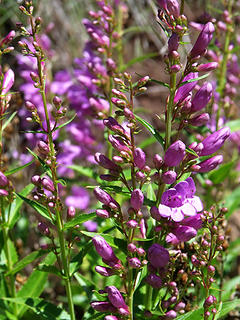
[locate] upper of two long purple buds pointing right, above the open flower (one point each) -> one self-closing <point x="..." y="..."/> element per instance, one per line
<point x="215" y="141"/>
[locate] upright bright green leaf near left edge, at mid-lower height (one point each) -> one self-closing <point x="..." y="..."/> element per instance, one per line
<point x="14" y="207"/>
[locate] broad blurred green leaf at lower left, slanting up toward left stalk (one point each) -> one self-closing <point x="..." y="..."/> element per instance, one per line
<point x="35" y="284"/>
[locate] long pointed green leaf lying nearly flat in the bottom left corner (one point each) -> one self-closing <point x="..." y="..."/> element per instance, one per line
<point x="44" y="309"/>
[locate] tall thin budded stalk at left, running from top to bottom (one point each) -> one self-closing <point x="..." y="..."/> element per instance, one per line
<point x="50" y="184"/>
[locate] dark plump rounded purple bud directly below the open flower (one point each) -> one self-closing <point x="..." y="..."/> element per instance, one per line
<point x="158" y="256"/>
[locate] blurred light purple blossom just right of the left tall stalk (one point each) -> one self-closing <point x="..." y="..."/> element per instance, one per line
<point x="79" y="198"/>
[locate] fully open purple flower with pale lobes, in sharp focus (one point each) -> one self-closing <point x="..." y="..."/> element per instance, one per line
<point x="179" y="201"/>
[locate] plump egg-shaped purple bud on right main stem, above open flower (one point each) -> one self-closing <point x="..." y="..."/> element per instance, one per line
<point x="175" y="154"/>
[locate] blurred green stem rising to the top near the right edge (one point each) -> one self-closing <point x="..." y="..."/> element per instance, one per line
<point x="223" y="66"/>
